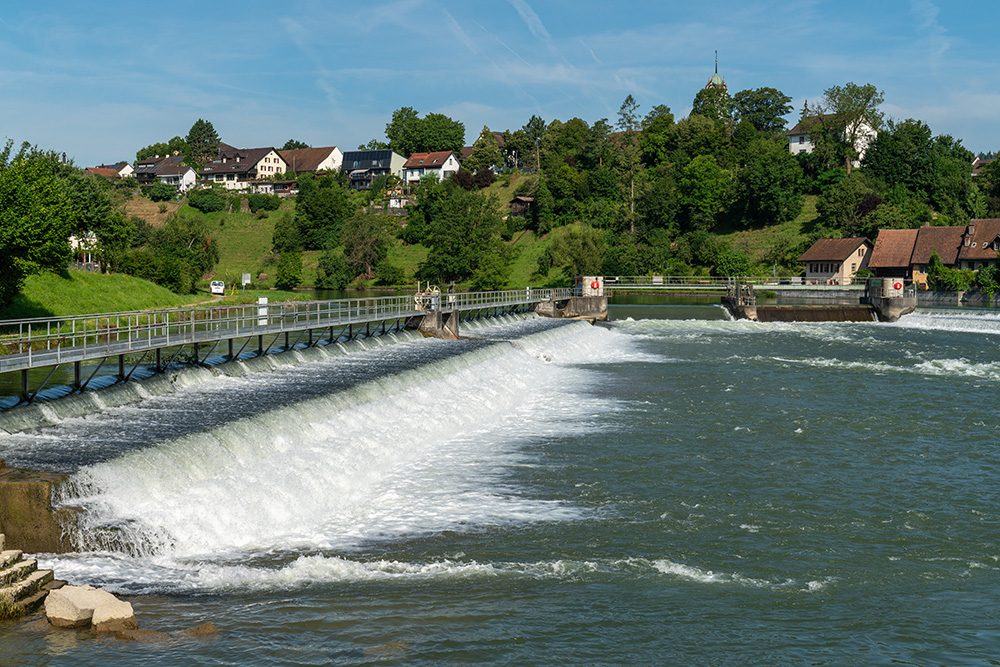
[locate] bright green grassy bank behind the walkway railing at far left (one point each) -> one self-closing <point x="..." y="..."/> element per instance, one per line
<point x="83" y="292"/>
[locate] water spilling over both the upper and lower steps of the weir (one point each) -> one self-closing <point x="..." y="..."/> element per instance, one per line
<point x="409" y="453"/>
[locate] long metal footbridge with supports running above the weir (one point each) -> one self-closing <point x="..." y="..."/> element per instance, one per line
<point x="155" y="339"/>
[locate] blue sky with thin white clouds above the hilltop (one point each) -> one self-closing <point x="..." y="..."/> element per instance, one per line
<point x="99" y="81"/>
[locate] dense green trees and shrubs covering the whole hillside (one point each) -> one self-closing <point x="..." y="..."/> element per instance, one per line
<point x="641" y="193"/>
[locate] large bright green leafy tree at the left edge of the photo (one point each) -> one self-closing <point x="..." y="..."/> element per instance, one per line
<point x="36" y="218"/>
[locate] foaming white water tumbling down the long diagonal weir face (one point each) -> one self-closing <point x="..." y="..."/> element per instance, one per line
<point x="410" y="455"/>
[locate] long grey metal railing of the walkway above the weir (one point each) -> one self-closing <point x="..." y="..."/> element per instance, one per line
<point x="28" y="343"/>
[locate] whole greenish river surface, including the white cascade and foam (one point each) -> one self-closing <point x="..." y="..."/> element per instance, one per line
<point x="674" y="488"/>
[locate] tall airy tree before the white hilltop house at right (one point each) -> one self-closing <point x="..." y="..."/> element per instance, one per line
<point x="846" y="115"/>
